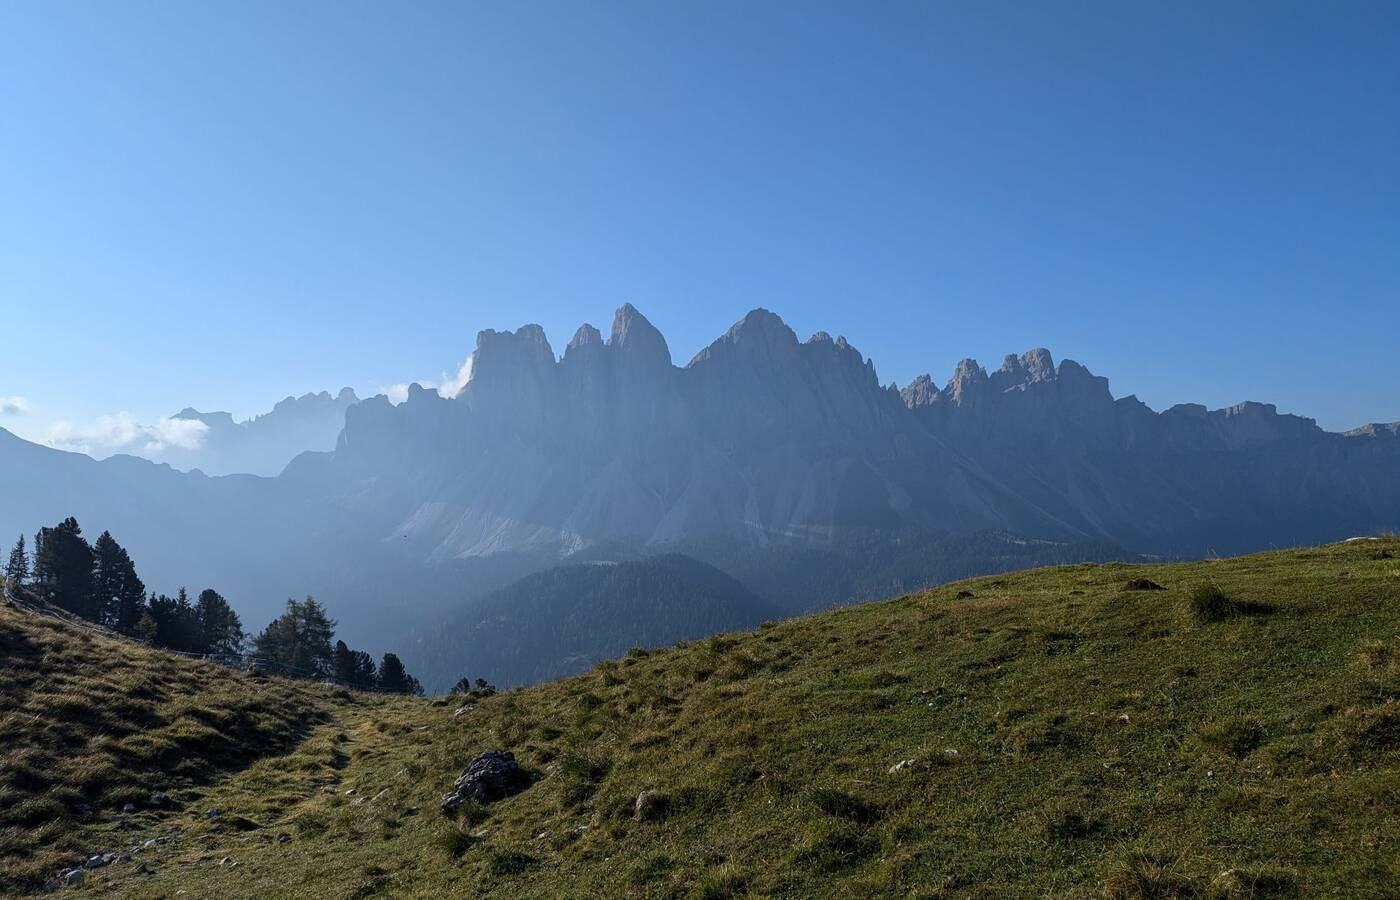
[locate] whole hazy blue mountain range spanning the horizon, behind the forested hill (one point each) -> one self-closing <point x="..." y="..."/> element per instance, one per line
<point x="764" y="454"/>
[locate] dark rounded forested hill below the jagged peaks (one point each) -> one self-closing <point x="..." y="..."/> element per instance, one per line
<point x="568" y="619"/>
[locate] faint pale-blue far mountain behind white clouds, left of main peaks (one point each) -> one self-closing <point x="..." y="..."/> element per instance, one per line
<point x="264" y="444"/>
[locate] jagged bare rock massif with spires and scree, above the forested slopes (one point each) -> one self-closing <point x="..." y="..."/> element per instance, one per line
<point x="766" y="440"/>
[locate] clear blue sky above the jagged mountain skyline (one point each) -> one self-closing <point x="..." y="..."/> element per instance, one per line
<point x="223" y="204"/>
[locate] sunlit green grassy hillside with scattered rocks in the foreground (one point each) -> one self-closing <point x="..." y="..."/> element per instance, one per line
<point x="1063" y="738"/>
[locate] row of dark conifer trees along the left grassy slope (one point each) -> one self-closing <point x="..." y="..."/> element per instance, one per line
<point x="99" y="583"/>
